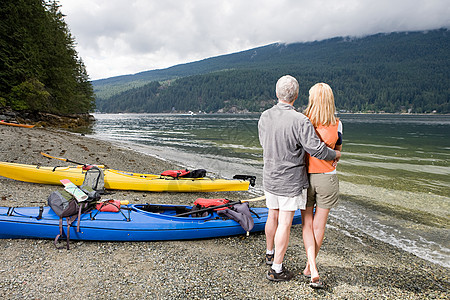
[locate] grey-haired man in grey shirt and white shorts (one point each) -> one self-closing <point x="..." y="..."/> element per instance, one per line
<point x="285" y="135"/>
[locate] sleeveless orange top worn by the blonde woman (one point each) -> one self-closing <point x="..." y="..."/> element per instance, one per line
<point x="329" y="135"/>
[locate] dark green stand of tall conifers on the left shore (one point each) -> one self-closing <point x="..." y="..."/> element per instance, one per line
<point x="39" y="67"/>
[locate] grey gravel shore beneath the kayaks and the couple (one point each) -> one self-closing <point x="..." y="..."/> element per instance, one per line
<point x="353" y="265"/>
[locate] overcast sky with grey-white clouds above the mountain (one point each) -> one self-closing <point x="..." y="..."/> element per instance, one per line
<point x="119" y="37"/>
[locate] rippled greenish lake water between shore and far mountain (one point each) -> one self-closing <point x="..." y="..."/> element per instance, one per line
<point x="394" y="173"/>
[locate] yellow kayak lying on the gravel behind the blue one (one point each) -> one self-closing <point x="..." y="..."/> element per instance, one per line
<point x="120" y="180"/>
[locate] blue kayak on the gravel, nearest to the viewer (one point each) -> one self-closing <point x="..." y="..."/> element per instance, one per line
<point x="134" y="222"/>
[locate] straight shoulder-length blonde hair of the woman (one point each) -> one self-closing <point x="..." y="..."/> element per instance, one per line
<point x="321" y="109"/>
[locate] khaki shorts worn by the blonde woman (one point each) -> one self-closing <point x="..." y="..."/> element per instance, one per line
<point x="323" y="190"/>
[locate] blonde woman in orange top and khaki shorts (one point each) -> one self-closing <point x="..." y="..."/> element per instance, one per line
<point x="324" y="186"/>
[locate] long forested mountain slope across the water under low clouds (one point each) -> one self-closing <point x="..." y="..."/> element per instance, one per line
<point x="396" y="72"/>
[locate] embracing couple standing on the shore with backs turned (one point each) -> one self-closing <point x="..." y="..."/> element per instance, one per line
<point x="300" y="154"/>
